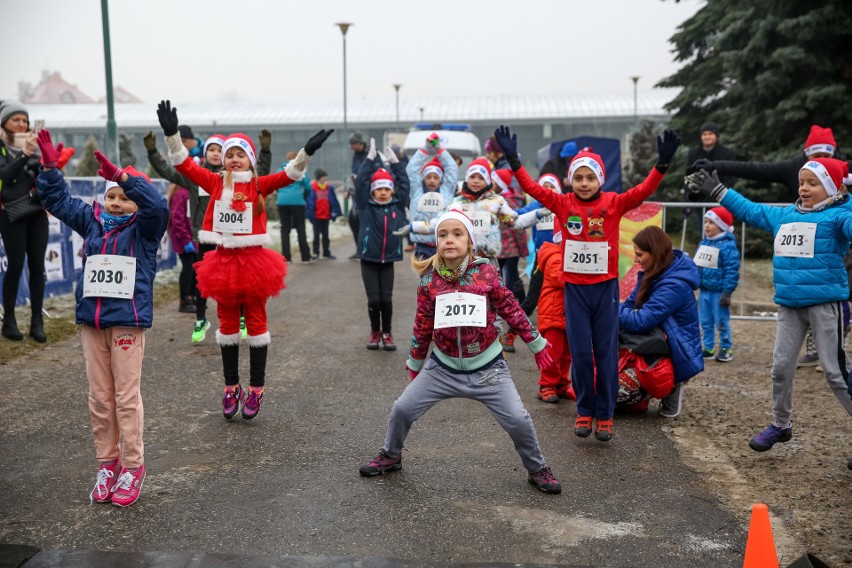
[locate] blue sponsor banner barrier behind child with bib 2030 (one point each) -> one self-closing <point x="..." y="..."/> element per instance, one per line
<point x="63" y="263"/>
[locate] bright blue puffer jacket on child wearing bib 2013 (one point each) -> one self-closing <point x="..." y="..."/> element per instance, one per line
<point x="800" y="281"/>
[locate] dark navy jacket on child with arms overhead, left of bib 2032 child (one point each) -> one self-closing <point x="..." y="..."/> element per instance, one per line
<point x="376" y="241"/>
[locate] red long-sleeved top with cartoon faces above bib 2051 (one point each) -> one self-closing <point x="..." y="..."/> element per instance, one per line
<point x="591" y="222"/>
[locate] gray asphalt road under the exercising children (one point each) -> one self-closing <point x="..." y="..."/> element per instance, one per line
<point x="287" y="483"/>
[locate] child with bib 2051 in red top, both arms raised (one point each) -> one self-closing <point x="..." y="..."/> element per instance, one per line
<point x="590" y="219"/>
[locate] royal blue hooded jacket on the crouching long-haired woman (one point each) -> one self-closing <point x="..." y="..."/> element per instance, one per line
<point x="671" y="305"/>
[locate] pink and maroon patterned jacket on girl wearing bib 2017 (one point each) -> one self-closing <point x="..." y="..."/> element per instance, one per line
<point x="468" y="348"/>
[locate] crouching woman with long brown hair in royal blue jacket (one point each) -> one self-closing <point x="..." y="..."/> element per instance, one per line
<point x="664" y="296"/>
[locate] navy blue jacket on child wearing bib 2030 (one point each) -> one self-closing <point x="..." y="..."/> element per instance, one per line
<point x="139" y="238"/>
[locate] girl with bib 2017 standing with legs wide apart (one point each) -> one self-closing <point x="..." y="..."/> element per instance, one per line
<point x="457" y="301"/>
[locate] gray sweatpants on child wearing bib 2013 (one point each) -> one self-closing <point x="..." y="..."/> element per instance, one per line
<point x="826" y="323"/>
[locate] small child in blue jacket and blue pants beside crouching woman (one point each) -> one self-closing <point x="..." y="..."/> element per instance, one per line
<point x="718" y="262"/>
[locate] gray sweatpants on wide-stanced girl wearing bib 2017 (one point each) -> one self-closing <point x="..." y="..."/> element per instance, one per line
<point x="492" y="387"/>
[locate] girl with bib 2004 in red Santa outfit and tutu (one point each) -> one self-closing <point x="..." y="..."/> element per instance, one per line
<point x="240" y="272"/>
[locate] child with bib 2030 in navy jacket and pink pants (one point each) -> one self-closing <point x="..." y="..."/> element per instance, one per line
<point x="115" y="305"/>
